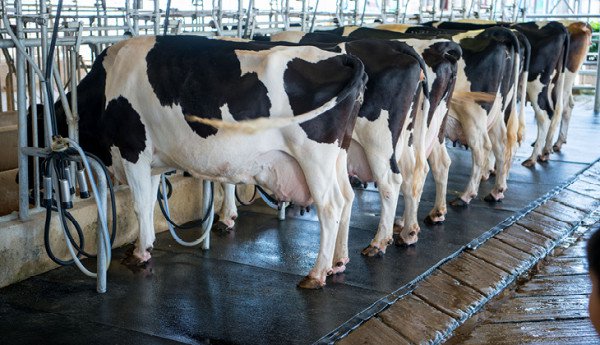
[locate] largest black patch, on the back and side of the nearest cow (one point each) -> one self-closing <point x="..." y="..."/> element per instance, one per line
<point x="202" y="75"/>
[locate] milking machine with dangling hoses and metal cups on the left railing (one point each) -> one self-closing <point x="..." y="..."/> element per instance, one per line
<point x="66" y="169"/>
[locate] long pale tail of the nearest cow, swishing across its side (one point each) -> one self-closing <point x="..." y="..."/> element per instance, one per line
<point x="264" y="123"/>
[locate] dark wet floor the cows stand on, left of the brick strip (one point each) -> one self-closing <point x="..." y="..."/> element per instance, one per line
<point x="243" y="290"/>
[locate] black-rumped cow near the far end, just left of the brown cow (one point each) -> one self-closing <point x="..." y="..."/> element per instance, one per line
<point x="547" y="86"/>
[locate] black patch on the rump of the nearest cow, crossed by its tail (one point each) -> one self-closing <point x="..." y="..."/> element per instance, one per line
<point x="310" y="85"/>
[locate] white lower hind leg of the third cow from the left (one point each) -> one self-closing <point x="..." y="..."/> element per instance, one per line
<point x="439" y="160"/>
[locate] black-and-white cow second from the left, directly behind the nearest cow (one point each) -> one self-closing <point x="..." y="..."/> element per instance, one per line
<point x="386" y="145"/>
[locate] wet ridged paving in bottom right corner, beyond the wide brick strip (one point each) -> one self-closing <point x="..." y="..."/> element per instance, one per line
<point x="550" y="308"/>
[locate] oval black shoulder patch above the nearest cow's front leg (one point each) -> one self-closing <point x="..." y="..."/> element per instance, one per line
<point x="124" y="129"/>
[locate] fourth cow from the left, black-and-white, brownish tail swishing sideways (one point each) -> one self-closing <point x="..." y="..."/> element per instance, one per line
<point x="481" y="122"/>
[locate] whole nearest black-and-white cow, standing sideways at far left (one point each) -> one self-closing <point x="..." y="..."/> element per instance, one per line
<point x="232" y="112"/>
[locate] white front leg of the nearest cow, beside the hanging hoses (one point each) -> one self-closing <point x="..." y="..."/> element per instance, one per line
<point x="143" y="186"/>
